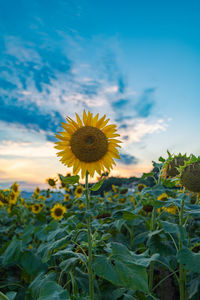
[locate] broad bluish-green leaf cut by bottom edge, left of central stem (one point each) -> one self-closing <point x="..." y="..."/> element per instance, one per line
<point x="51" y="290"/>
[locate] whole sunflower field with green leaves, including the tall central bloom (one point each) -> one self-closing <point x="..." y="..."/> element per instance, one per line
<point x="77" y="241"/>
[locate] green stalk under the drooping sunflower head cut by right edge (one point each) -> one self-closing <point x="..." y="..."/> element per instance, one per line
<point x="181" y="269"/>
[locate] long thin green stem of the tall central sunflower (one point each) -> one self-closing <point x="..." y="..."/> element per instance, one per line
<point x="90" y="272"/>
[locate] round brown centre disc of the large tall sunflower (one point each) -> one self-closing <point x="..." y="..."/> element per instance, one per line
<point x="89" y="144"/>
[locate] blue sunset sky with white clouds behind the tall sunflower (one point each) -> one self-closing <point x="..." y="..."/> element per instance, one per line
<point x="138" y="61"/>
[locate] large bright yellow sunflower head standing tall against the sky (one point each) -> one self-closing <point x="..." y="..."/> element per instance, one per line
<point x="88" y="145"/>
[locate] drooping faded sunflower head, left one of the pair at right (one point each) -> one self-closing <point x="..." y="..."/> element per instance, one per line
<point x="171" y="165"/>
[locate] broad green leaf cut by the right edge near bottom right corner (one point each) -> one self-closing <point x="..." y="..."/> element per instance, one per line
<point x="190" y="260"/>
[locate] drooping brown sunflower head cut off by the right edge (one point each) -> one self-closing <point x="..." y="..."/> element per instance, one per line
<point x="190" y="174"/>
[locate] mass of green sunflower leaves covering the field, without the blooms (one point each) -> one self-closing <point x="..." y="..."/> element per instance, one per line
<point x="42" y="258"/>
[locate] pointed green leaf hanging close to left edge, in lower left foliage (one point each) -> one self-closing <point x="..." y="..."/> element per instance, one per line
<point x="12" y="253"/>
